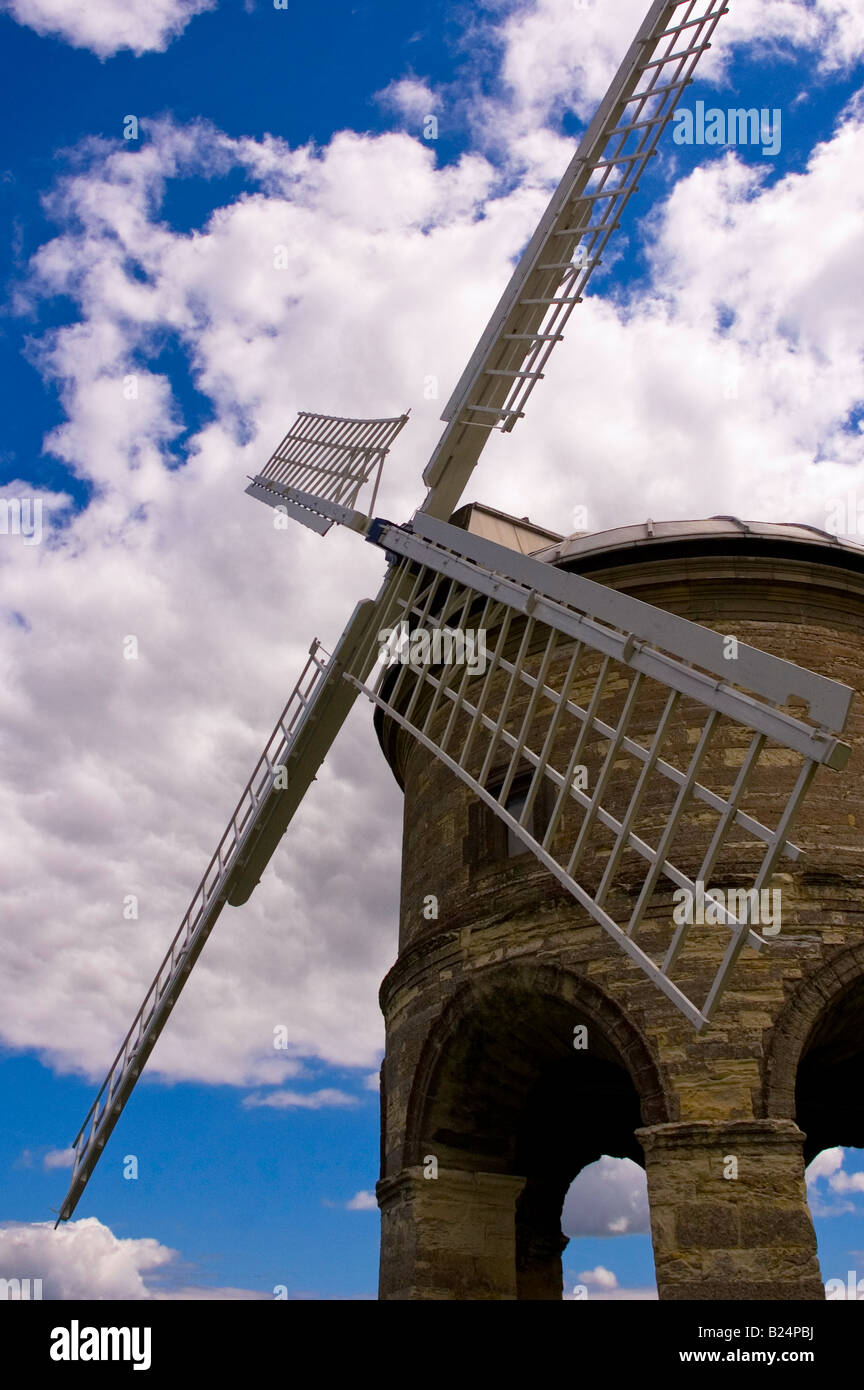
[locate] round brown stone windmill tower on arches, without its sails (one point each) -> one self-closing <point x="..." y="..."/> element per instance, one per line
<point x="483" y="1082"/>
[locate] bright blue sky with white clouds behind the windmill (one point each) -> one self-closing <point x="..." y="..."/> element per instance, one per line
<point x="153" y="258"/>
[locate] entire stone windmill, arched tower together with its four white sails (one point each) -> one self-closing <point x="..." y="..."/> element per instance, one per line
<point x="604" y="746"/>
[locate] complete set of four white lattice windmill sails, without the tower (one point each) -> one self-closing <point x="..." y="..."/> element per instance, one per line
<point x="558" y="641"/>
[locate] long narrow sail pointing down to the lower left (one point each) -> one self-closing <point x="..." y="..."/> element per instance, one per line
<point x="297" y="749"/>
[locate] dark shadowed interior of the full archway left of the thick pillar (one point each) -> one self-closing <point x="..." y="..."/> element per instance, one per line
<point x="502" y="1090"/>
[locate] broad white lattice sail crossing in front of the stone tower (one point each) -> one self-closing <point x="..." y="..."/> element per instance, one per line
<point x="637" y="729"/>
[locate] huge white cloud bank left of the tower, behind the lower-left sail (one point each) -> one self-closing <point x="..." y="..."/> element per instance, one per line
<point x="142" y="761"/>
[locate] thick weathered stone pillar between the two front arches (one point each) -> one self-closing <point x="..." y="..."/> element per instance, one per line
<point x="731" y="1238"/>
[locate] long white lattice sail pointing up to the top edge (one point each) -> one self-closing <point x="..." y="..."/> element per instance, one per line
<point x="569" y="244"/>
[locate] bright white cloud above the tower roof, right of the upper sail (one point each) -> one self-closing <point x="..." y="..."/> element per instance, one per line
<point x="751" y="419"/>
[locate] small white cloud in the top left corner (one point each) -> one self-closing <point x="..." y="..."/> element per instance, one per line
<point x="109" y="26"/>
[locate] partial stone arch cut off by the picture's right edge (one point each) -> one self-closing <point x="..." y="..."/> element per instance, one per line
<point x="815" y="1063"/>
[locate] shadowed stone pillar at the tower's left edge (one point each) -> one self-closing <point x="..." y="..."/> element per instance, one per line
<point x="451" y="1236"/>
